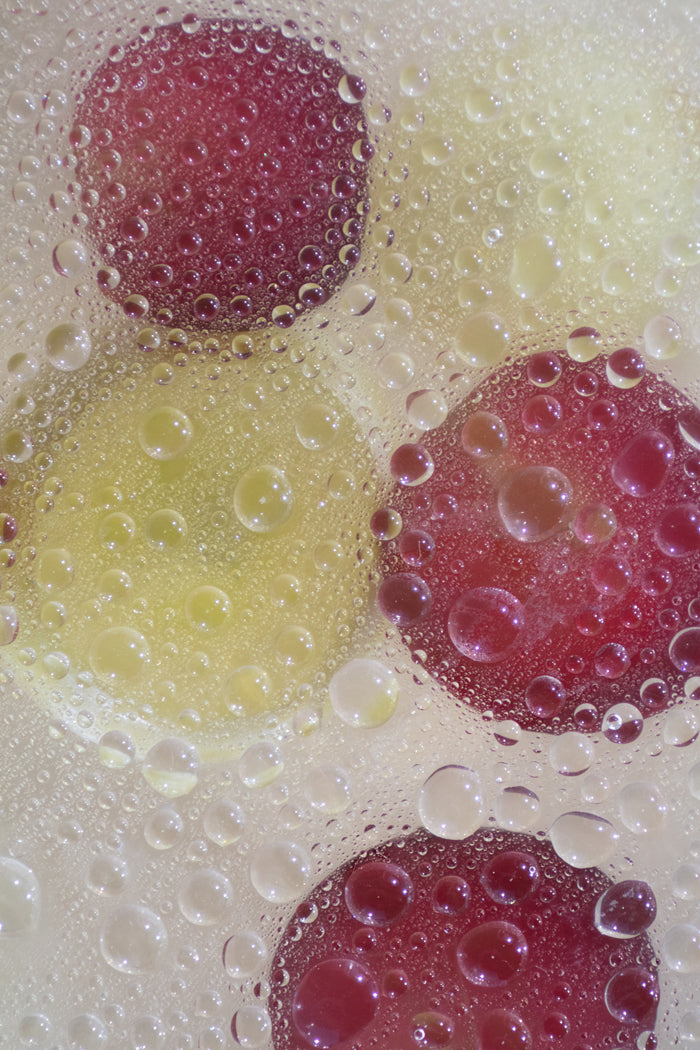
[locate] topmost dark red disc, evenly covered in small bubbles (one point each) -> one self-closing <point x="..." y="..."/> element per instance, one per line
<point x="217" y="155"/>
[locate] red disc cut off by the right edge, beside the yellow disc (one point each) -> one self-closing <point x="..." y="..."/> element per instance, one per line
<point x="593" y="531"/>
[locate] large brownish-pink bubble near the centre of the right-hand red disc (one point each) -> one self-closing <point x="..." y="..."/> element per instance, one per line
<point x="535" y="502"/>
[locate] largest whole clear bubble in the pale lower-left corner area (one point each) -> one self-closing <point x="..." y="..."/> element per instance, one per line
<point x="133" y="940"/>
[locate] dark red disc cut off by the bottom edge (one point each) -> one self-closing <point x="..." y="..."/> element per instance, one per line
<point x="489" y="956"/>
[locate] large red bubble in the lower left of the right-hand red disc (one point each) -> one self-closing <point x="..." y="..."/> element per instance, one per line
<point x="485" y="624"/>
